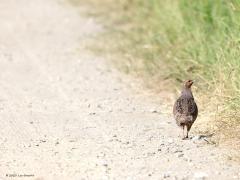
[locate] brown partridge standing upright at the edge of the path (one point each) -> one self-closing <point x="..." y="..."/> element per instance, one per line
<point x="185" y="109"/>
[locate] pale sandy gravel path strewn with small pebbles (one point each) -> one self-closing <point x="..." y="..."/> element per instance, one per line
<point x="66" y="115"/>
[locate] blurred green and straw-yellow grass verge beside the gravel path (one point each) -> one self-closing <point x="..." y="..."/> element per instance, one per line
<point x="166" y="42"/>
